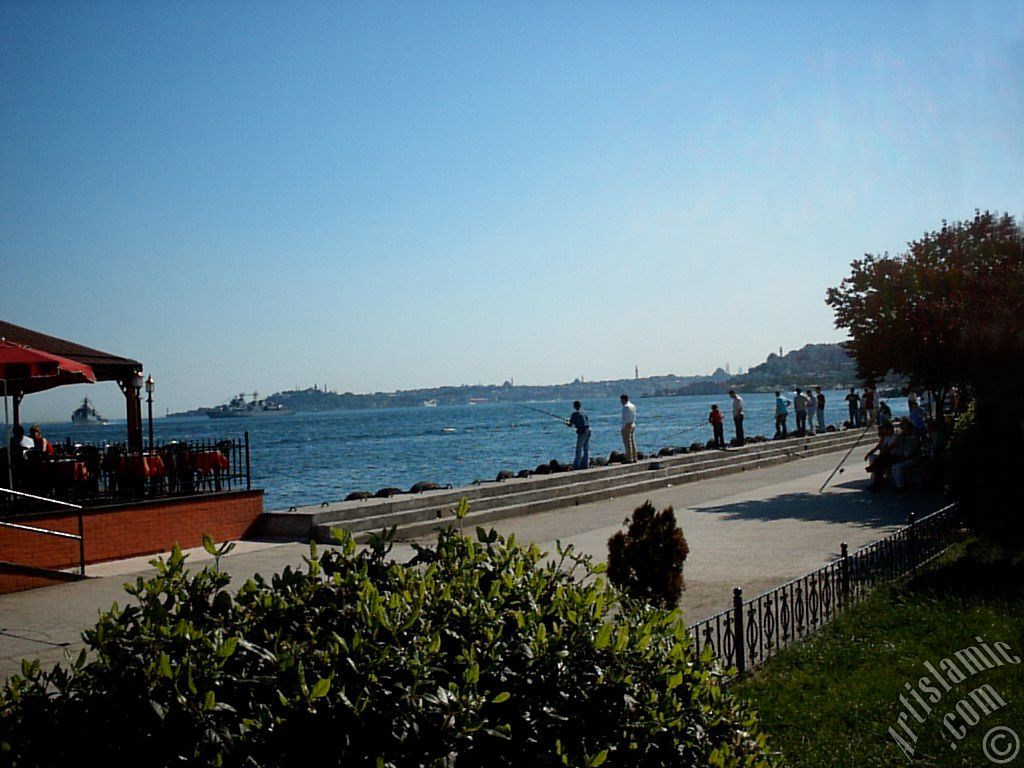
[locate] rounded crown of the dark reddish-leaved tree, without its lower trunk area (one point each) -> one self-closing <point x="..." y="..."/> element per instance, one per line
<point x="950" y="312"/>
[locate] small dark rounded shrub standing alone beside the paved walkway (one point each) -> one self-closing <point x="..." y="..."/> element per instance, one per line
<point x="648" y="561"/>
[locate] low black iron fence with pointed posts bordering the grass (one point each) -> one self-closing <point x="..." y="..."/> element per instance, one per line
<point x="754" y="630"/>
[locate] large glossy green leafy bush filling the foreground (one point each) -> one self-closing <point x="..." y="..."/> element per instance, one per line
<point x="476" y="654"/>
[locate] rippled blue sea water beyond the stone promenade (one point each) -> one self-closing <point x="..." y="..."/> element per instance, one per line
<point x="310" y="458"/>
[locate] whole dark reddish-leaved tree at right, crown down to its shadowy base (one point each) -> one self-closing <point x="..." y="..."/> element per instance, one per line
<point x="950" y="312"/>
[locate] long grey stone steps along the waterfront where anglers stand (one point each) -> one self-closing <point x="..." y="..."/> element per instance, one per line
<point x="578" y="488"/>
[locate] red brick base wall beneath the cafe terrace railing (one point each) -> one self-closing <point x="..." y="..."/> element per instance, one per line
<point x="129" y="531"/>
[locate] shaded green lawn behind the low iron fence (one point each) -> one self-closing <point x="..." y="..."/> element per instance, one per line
<point x="831" y="701"/>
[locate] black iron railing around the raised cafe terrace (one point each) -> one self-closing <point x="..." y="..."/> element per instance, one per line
<point x="92" y="476"/>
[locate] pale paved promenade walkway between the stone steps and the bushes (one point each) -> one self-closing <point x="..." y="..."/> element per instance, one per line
<point x="755" y="531"/>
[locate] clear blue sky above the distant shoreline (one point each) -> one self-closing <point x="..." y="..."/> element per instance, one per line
<point x="380" y="196"/>
